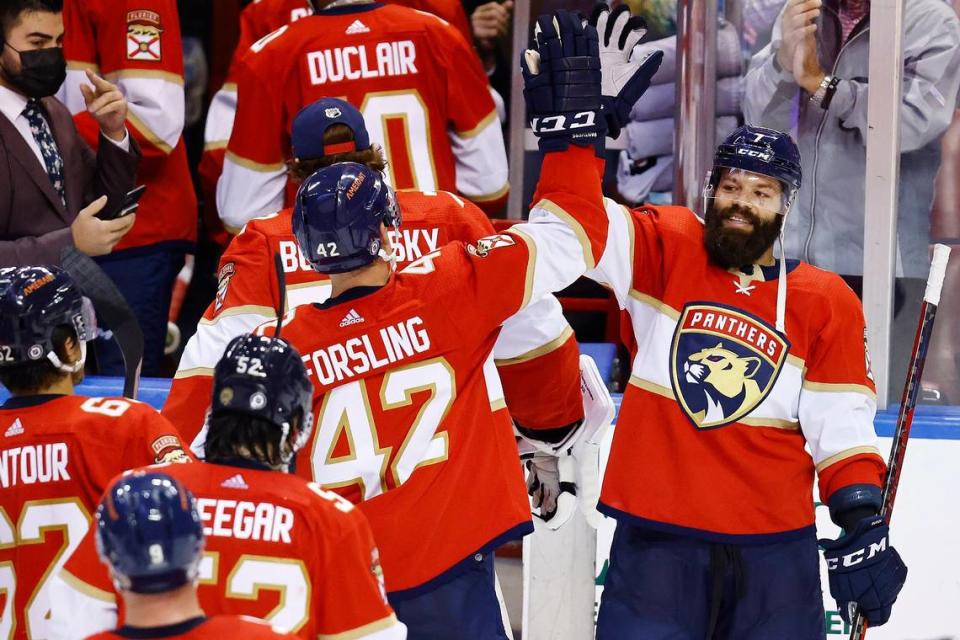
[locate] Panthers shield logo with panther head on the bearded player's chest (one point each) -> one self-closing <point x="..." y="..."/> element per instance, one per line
<point x="724" y="362"/>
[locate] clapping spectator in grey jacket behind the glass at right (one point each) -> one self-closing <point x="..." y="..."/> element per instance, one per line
<point x="812" y="77"/>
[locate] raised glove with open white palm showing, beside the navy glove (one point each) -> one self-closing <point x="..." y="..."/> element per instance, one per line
<point x="624" y="79"/>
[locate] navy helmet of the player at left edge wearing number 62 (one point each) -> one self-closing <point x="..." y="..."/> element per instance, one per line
<point x="34" y="301"/>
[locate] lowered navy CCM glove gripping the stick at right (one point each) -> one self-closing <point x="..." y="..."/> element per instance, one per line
<point x="865" y="571"/>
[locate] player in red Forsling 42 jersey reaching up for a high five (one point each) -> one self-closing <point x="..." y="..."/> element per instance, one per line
<point x="405" y="393"/>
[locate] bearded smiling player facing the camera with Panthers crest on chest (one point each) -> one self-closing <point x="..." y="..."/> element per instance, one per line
<point x="744" y="361"/>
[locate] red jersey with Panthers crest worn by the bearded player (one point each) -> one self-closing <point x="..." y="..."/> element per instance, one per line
<point x="712" y="436"/>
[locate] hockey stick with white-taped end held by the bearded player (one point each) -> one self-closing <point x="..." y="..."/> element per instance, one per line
<point x="908" y="403"/>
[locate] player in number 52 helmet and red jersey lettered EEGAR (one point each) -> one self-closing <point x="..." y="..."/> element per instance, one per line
<point x="267" y="531"/>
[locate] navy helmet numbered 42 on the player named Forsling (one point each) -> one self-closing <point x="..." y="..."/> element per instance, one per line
<point x="337" y="216"/>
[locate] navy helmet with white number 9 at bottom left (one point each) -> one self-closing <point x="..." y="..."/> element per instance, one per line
<point x="149" y="533"/>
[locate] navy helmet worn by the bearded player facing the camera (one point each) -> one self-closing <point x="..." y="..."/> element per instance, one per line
<point x="759" y="150"/>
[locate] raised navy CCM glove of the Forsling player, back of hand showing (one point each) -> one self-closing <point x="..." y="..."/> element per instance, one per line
<point x="561" y="78"/>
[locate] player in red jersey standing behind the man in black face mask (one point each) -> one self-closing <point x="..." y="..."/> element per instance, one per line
<point x="137" y="44"/>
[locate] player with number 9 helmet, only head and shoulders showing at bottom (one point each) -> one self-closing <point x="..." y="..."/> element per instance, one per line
<point x="150" y="535"/>
